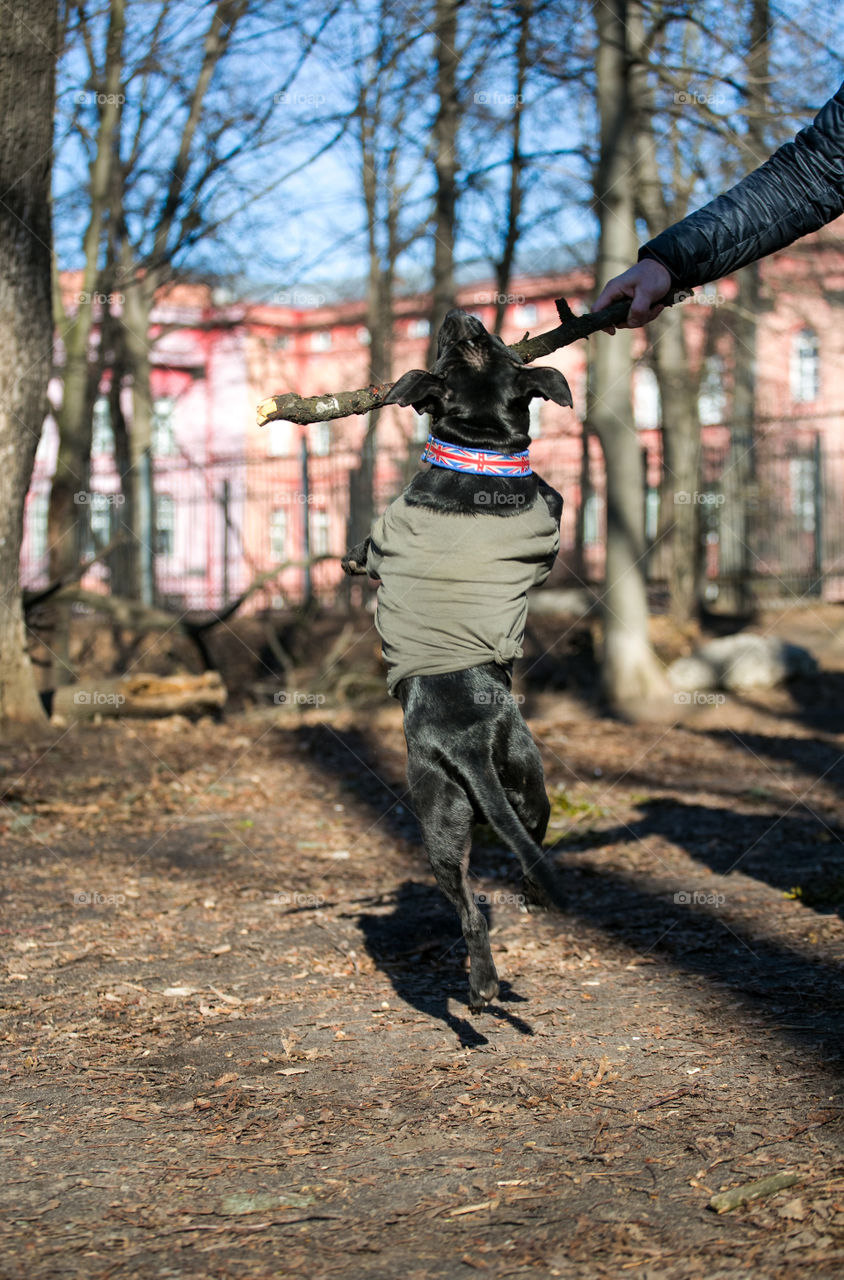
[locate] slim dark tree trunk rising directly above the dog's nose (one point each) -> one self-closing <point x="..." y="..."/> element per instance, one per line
<point x="446" y="166"/>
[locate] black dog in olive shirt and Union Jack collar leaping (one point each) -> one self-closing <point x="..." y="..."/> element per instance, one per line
<point x="455" y="555"/>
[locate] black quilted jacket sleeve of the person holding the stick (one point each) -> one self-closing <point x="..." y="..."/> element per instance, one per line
<point x="795" y="193"/>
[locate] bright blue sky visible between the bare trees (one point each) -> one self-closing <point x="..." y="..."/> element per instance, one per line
<point x="307" y="230"/>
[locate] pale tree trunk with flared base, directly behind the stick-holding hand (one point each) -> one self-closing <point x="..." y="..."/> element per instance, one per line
<point x="632" y="676"/>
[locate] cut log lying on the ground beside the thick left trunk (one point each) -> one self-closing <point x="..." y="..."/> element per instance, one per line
<point x="142" y="694"/>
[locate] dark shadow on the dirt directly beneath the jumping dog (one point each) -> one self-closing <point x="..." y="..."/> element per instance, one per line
<point x="417" y="948"/>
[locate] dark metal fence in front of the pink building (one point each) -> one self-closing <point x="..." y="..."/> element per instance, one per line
<point x="220" y="525"/>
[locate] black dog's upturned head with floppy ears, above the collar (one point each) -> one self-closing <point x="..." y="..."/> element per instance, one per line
<point x="478" y="394"/>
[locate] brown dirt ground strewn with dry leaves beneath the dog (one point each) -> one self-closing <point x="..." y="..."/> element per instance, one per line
<point x="236" y="1040"/>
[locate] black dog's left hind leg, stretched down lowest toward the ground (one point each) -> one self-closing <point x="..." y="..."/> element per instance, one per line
<point x="446" y="819"/>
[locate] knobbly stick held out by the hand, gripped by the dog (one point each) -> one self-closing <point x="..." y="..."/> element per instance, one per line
<point x="322" y="409"/>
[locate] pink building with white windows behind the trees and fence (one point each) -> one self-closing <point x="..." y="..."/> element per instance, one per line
<point x="234" y="500"/>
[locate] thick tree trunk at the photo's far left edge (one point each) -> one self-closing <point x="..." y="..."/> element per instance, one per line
<point x="28" y="99"/>
